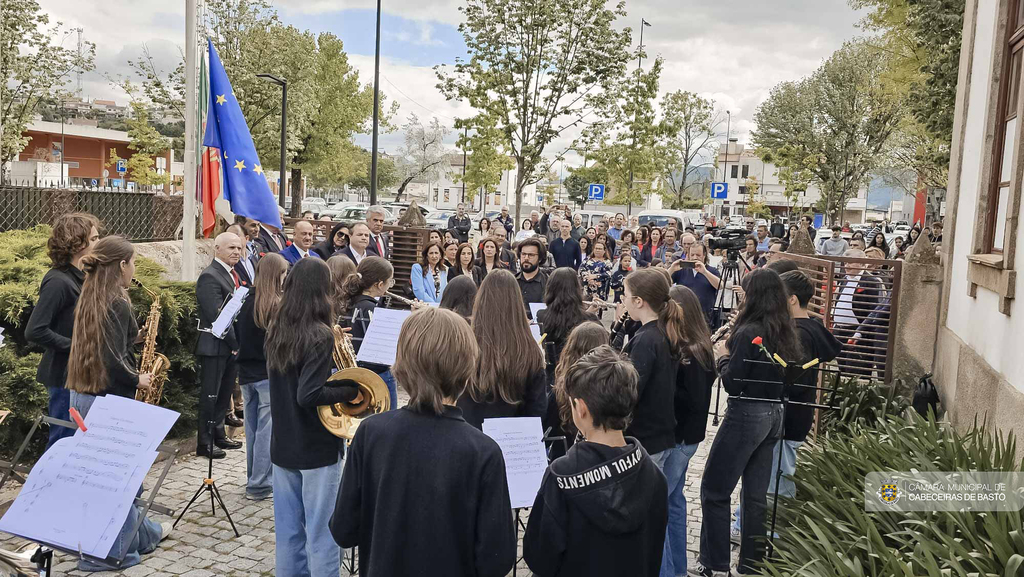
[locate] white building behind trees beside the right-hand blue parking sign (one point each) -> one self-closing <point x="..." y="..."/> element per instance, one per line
<point x="738" y="164"/>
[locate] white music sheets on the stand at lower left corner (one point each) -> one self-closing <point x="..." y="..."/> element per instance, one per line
<point x="79" y="493"/>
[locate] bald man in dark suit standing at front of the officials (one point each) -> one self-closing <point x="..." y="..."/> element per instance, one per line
<point x="217" y="356"/>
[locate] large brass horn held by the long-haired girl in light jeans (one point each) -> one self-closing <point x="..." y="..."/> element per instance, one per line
<point x="343" y="419"/>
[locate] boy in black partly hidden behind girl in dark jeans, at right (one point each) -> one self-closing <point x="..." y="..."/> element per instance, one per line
<point x="819" y="344"/>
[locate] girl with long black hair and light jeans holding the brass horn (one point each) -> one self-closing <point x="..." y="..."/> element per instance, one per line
<point x="307" y="457"/>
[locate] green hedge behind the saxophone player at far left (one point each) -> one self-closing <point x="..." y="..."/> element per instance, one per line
<point x="23" y="264"/>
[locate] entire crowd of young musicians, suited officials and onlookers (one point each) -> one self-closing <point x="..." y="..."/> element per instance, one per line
<point x="631" y="403"/>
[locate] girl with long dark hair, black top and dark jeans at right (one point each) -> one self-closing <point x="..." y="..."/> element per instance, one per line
<point x="753" y="424"/>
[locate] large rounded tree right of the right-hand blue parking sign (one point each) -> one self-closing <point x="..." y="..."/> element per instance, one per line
<point x="833" y="127"/>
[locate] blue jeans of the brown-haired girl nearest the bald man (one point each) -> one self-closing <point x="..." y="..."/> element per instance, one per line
<point x="257" y="400"/>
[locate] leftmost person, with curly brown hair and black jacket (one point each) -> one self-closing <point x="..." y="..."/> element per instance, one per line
<point x="54" y="316"/>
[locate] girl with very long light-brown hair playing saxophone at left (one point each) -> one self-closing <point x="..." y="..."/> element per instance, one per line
<point x="103" y="363"/>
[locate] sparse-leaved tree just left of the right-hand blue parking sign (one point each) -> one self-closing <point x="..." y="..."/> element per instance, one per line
<point x="689" y="143"/>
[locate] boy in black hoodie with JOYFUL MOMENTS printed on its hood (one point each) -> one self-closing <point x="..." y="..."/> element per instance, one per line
<point x="603" y="509"/>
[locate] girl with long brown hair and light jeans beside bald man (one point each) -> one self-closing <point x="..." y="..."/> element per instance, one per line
<point x="252" y="324"/>
